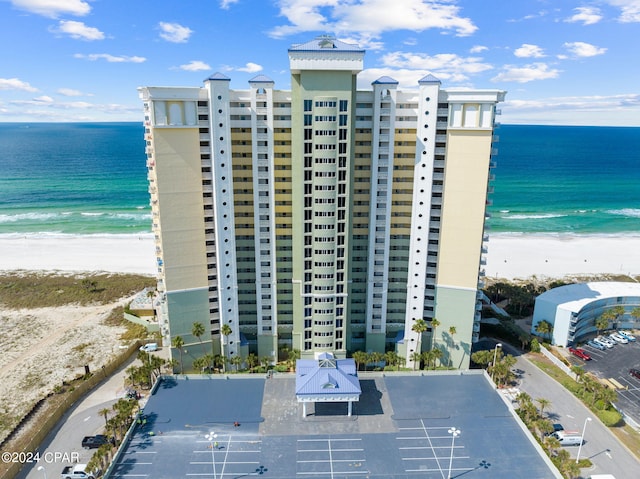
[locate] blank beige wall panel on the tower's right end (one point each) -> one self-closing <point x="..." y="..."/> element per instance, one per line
<point x="463" y="208"/>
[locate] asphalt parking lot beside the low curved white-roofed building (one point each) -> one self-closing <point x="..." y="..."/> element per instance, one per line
<point x="615" y="364"/>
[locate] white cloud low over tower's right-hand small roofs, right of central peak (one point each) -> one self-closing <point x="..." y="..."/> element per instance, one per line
<point x="446" y="66"/>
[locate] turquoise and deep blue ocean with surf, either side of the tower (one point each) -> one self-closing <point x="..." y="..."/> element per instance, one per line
<point x="90" y="179"/>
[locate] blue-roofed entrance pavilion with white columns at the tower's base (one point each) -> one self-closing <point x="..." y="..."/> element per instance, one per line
<point x="327" y="379"/>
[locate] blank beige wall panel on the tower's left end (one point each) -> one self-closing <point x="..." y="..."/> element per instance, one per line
<point x="180" y="207"/>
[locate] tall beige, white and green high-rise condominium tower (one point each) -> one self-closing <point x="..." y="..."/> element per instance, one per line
<point x="324" y="218"/>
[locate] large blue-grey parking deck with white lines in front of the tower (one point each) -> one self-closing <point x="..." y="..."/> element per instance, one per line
<point x="402" y="428"/>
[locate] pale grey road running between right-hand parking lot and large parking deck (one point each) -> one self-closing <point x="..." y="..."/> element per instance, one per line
<point x="601" y="446"/>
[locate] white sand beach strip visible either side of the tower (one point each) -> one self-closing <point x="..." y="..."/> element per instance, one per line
<point x="510" y="255"/>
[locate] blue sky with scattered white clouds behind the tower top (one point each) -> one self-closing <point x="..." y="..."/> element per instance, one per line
<point x="566" y="62"/>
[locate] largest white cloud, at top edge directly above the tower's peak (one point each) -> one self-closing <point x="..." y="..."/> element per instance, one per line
<point x="371" y="17"/>
